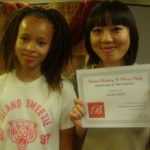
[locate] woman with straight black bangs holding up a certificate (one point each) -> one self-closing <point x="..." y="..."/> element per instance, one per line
<point x="111" y="39"/>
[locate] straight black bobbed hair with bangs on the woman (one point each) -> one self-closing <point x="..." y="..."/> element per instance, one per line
<point x="115" y="13"/>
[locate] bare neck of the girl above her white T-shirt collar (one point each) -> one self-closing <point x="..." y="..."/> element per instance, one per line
<point x="27" y="75"/>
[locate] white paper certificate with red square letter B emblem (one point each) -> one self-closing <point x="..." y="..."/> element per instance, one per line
<point x="116" y="96"/>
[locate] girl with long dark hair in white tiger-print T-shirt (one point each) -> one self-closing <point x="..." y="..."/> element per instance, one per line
<point x="35" y="100"/>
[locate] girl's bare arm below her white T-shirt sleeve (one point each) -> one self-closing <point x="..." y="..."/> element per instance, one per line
<point x="66" y="139"/>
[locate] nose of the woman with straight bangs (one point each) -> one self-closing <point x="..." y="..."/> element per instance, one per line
<point x="106" y="36"/>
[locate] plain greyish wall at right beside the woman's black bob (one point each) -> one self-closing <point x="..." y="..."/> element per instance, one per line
<point x="142" y="16"/>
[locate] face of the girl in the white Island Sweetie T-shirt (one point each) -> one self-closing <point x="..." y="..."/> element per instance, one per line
<point x="33" y="42"/>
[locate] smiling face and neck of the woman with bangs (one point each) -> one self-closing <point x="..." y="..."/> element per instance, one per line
<point x="110" y="43"/>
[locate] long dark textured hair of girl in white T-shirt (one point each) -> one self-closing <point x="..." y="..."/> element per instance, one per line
<point x="60" y="51"/>
